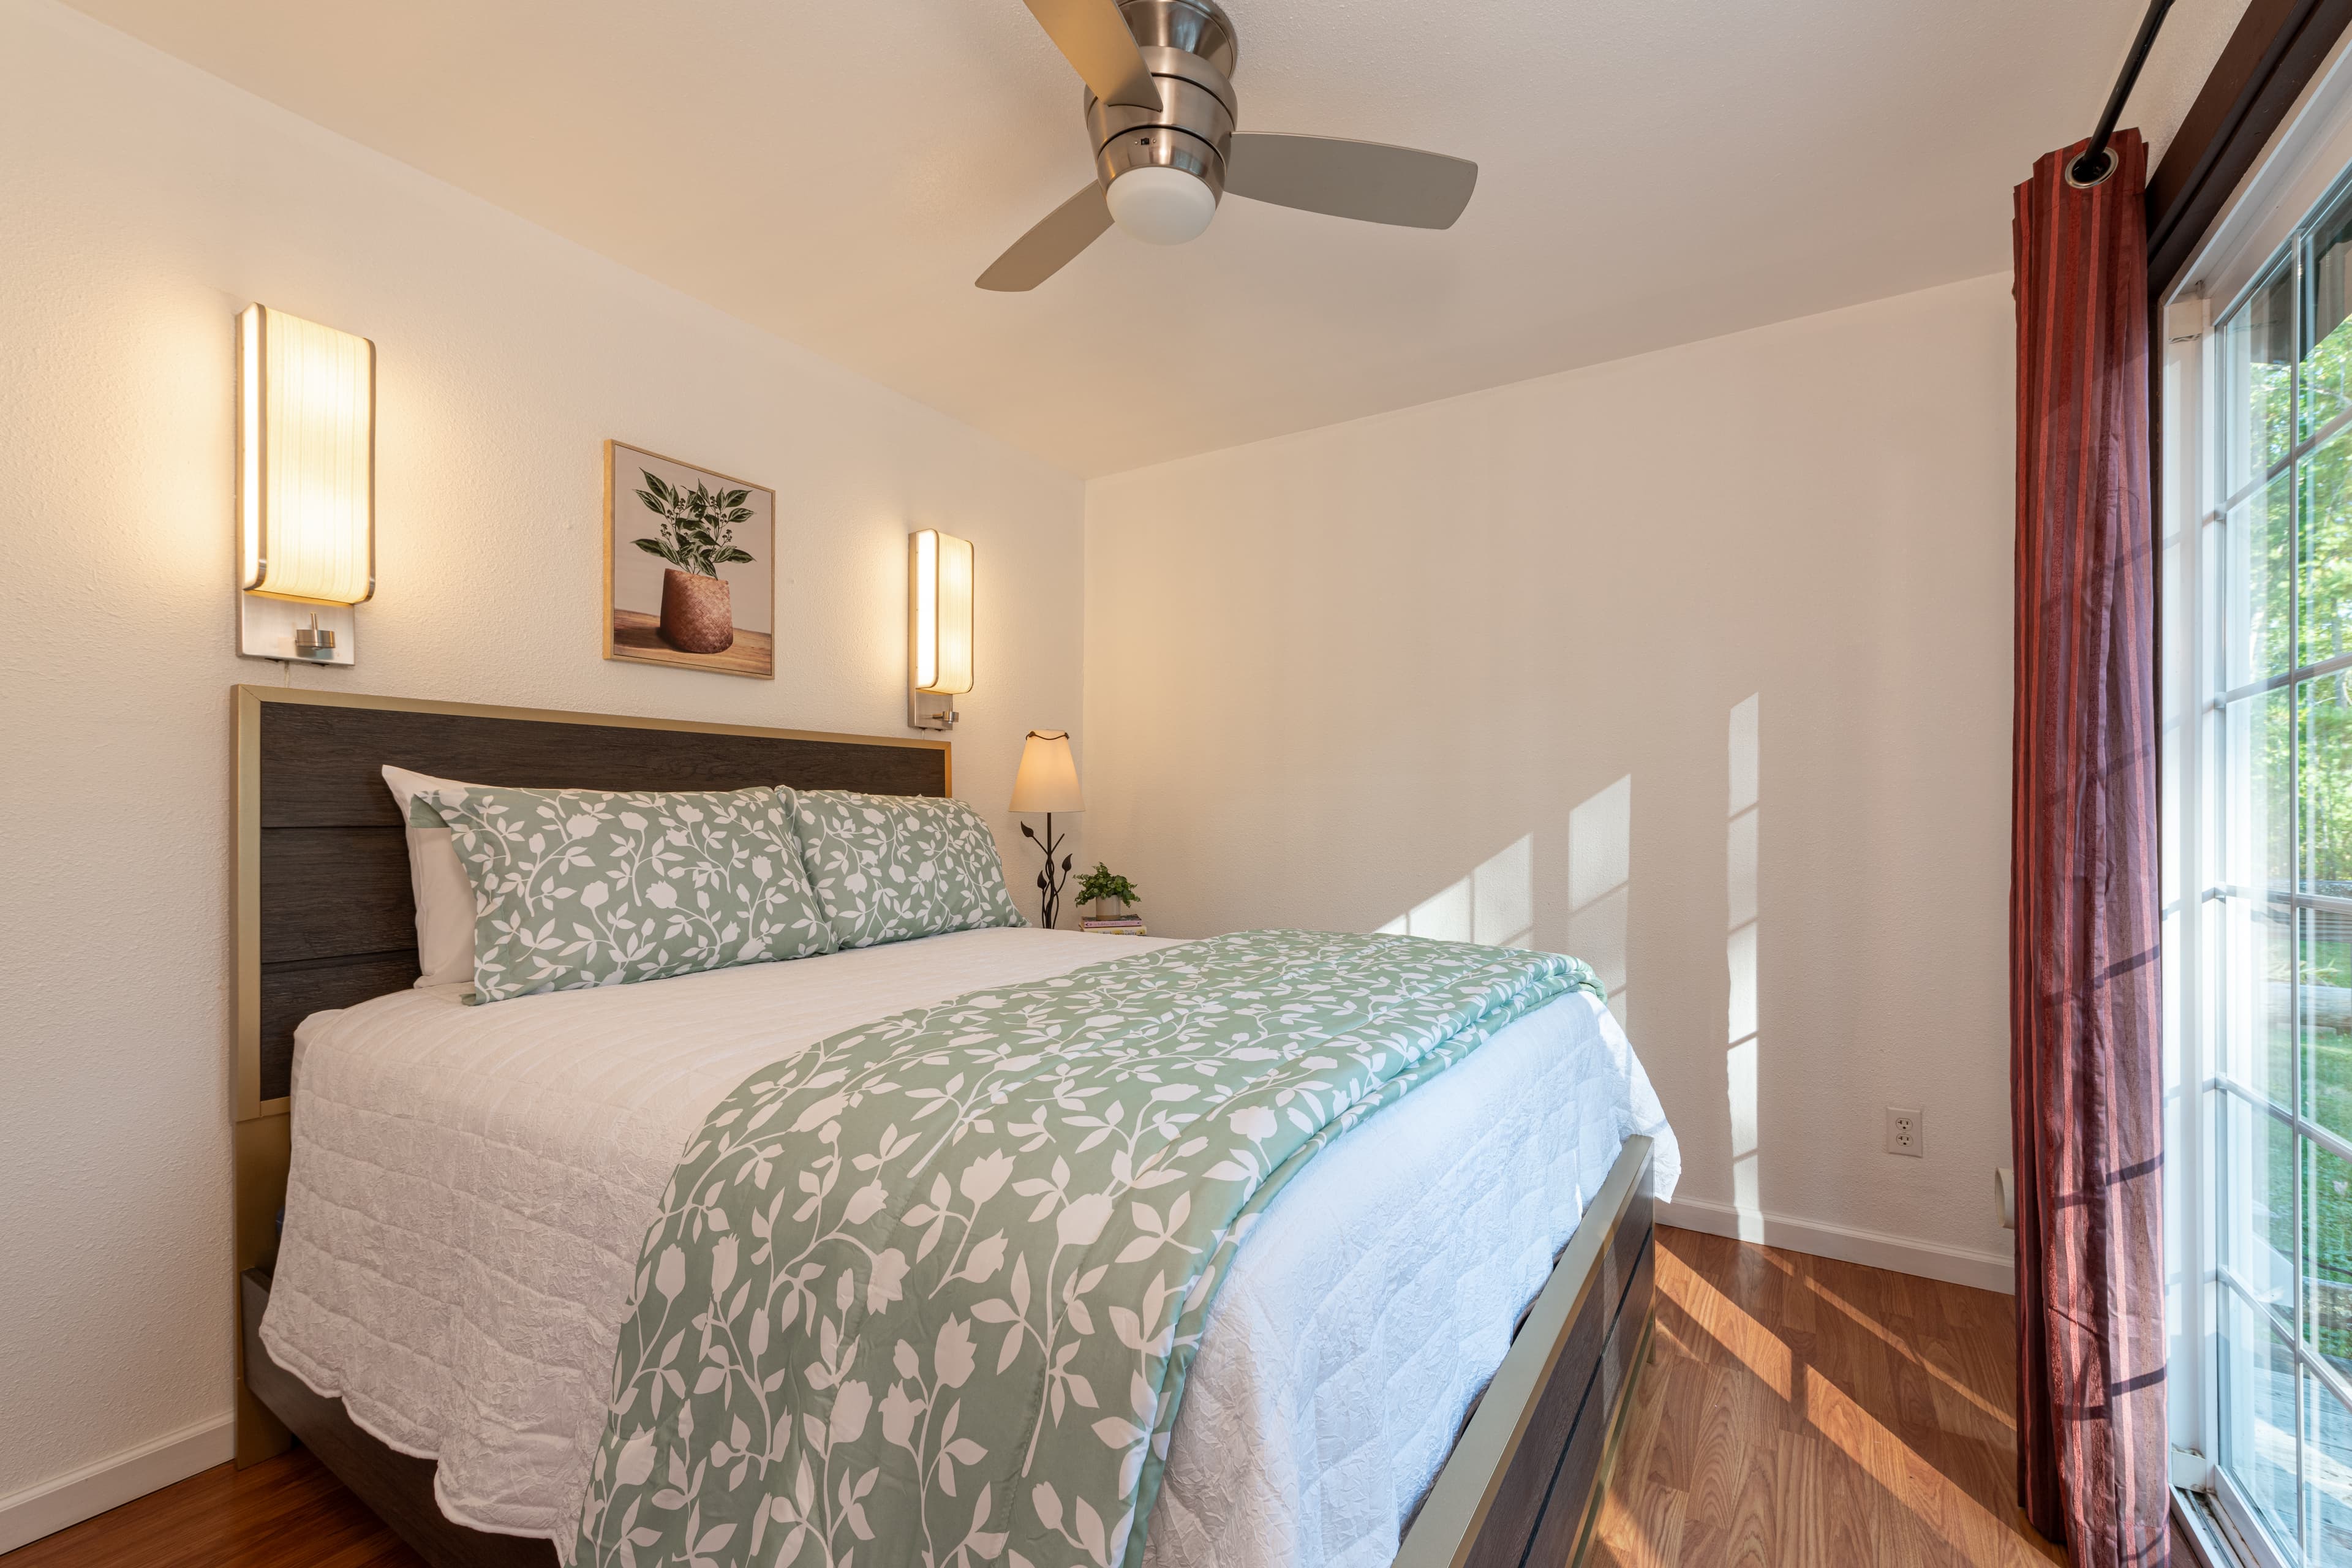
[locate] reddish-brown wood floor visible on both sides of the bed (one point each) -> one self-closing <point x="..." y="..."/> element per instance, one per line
<point x="1798" y="1412"/>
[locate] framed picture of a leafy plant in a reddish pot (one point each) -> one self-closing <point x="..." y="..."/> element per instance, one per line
<point x="690" y="565"/>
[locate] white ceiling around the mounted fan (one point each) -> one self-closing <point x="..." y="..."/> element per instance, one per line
<point x="841" y="173"/>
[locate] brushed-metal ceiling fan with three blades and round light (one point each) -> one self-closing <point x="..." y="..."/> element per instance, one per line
<point x="1161" y="116"/>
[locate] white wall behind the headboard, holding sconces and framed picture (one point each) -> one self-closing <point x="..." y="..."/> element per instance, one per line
<point x="142" y="203"/>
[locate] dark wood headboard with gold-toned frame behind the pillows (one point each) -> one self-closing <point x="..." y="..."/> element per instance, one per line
<point x="326" y="916"/>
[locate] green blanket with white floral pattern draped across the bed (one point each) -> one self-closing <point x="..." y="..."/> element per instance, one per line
<point x="928" y="1292"/>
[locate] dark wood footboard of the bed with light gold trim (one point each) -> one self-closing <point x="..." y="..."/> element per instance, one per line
<point x="1532" y="1463"/>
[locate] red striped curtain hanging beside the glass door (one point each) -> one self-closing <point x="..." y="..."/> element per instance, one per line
<point x="2085" y="1078"/>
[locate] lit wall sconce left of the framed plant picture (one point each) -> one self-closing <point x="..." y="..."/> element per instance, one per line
<point x="307" y="485"/>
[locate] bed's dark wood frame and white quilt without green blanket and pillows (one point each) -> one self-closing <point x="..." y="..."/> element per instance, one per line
<point x="1419" y="1358"/>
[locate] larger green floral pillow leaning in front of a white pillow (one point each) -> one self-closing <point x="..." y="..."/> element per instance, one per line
<point x="589" y="887"/>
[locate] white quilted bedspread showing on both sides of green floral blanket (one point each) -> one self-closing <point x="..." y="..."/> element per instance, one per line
<point x="472" y="1184"/>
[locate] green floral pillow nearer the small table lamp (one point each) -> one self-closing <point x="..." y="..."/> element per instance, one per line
<point x="897" y="866"/>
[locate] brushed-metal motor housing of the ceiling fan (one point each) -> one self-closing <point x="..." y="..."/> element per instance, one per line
<point x="1191" y="51"/>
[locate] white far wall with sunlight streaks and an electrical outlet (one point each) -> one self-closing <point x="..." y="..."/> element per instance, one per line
<point x="1692" y="664"/>
